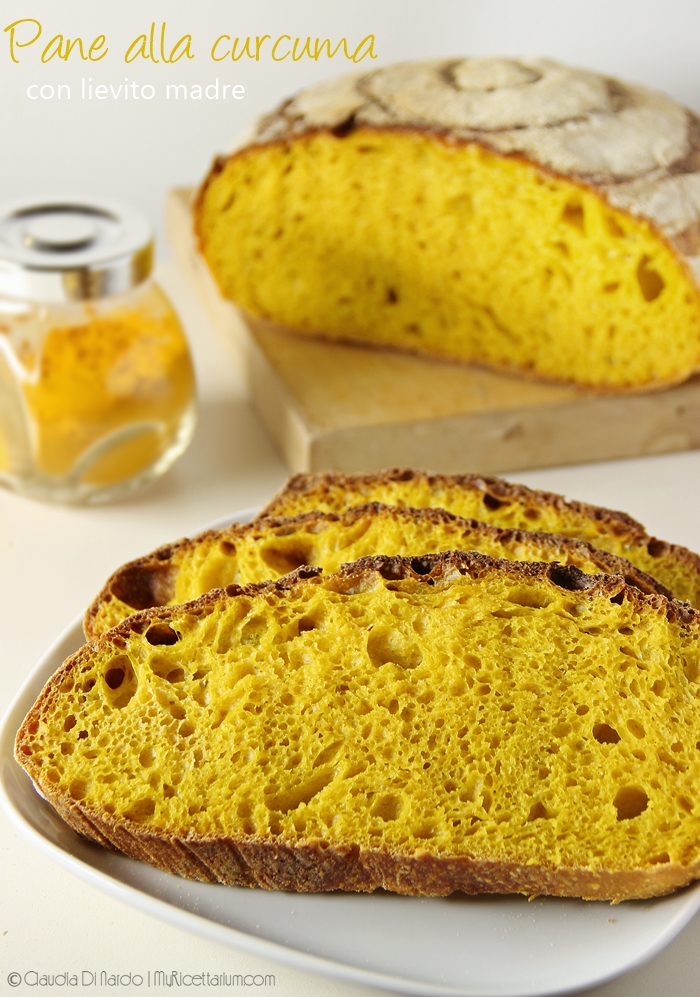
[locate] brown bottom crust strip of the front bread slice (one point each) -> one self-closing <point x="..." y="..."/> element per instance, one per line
<point x="314" y="866"/>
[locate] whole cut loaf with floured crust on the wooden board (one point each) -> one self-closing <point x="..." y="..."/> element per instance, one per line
<point x="514" y="212"/>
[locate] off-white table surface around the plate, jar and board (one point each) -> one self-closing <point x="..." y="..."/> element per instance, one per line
<point x="54" y="559"/>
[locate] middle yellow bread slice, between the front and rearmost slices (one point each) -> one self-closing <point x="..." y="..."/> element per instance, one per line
<point x="269" y="548"/>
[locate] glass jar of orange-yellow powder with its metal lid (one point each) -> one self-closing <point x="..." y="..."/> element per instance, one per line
<point x="96" y="382"/>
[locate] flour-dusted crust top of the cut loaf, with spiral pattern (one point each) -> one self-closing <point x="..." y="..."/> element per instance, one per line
<point x="638" y="148"/>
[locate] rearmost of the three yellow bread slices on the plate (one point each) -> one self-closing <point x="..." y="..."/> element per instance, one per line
<point x="506" y="505"/>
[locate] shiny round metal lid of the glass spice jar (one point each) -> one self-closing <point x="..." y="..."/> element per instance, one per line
<point x="71" y="249"/>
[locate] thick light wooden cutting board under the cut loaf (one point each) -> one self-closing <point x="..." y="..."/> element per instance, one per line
<point x="351" y="408"/>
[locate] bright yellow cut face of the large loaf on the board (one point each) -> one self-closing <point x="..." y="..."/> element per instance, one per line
<point x="397" y="238"/>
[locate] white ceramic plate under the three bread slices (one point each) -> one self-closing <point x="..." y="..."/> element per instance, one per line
<point x="470" y="946"/>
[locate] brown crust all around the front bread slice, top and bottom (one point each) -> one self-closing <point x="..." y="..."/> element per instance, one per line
<point x="314" y="866"/>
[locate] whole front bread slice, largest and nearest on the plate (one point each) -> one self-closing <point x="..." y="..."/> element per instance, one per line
<point x="430" y="724"/>
